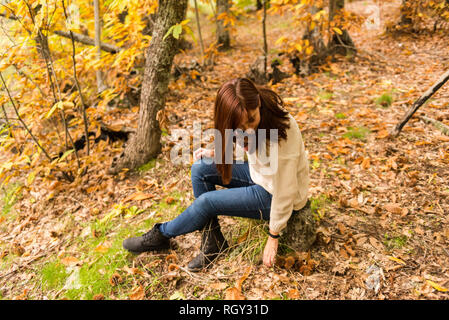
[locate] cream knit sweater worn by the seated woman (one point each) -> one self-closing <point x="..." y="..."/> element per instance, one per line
<point x="289" y="183"/>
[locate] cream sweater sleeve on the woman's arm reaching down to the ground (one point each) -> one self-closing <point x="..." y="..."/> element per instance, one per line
<point x="284" y="192"/>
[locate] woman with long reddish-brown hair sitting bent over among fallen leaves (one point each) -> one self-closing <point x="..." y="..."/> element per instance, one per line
<point x="251" y="191"/>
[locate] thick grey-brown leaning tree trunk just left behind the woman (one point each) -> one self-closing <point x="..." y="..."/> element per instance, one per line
<point x="145" y="144"/>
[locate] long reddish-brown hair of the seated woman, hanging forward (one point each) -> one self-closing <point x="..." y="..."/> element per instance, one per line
<point x="234" y="98"/>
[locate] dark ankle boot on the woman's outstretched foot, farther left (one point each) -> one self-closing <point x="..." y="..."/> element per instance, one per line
<point x="152" y="240"/>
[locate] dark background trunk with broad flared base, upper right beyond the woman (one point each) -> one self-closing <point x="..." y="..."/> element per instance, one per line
<point x="339" y="43"/>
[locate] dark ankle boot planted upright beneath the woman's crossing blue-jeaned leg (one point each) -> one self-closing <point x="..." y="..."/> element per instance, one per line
<point x="212" y="244"/>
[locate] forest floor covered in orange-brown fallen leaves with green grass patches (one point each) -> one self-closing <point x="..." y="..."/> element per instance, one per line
<point x="382" y="202"/>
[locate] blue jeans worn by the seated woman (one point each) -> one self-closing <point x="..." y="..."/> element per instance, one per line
<point x="242" y="198"/>
